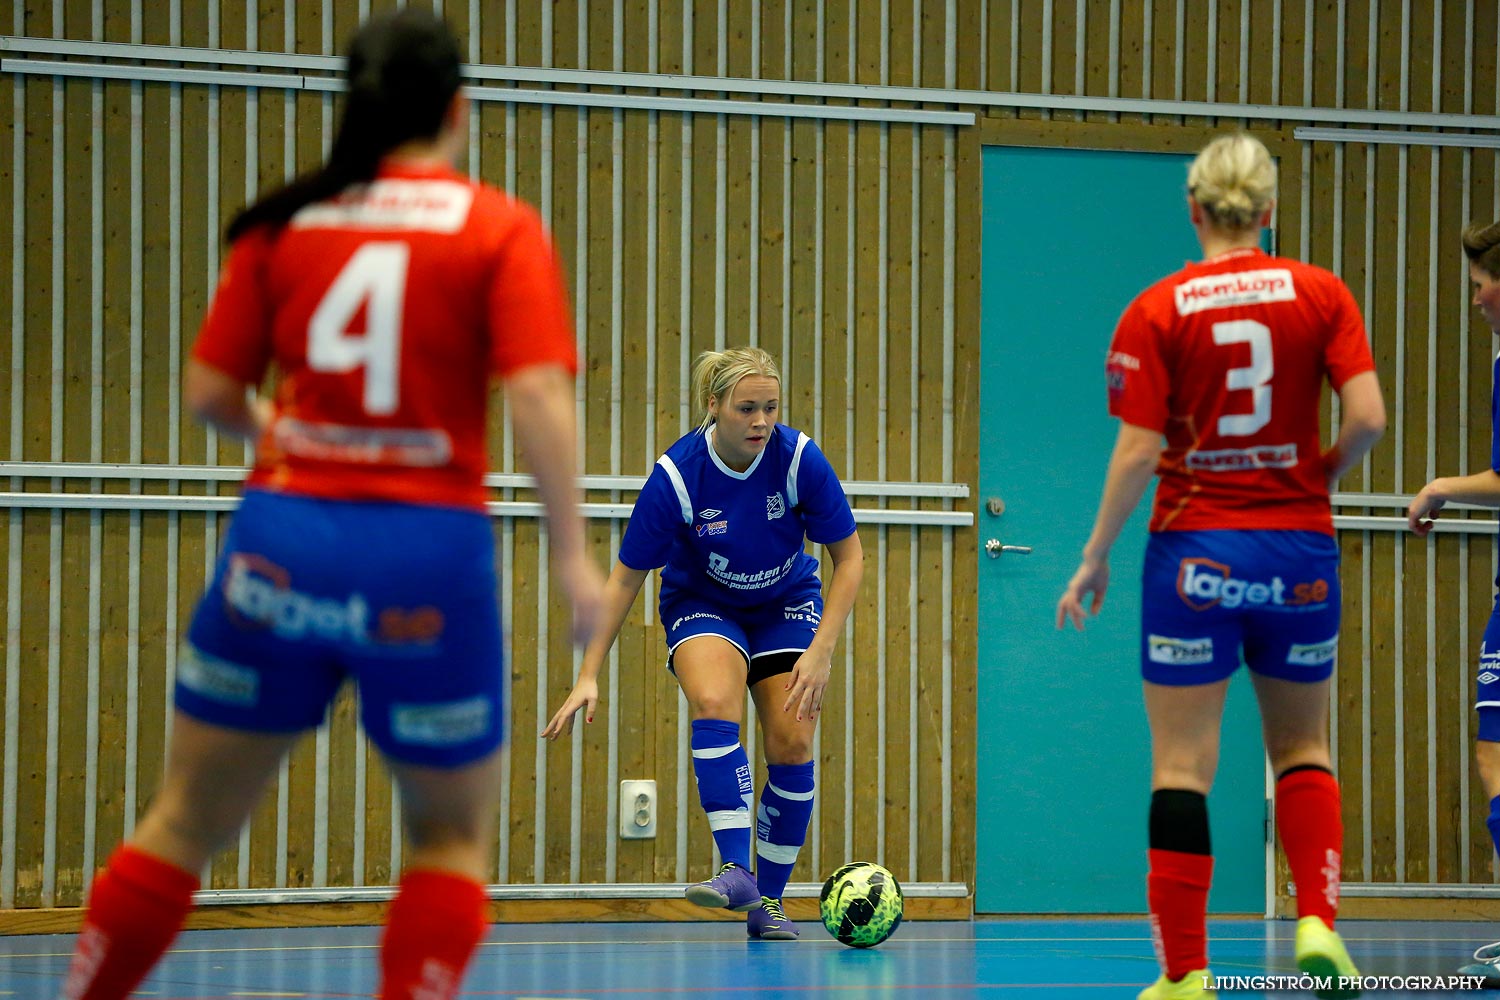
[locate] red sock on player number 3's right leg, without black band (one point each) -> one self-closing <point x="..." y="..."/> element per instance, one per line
<point x="1312" y="833"/>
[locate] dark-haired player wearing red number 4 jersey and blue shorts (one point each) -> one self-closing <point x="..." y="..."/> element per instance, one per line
<point x="388" y="290"/>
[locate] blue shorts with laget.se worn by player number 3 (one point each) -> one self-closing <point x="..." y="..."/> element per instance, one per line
<point x="1214" y="596"/>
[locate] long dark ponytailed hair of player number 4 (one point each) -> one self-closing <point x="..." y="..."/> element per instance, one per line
<point x="403" y="74"/>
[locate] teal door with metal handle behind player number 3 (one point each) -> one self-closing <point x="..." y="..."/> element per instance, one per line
<point x="1064" y="756"/>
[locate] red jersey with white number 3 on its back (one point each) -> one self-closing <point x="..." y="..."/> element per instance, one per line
<point x="1228" y="361"/>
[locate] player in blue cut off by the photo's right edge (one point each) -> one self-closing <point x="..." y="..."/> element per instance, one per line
<point x="1483" y="248"/>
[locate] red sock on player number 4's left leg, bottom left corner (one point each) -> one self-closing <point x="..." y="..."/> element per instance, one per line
<point x="136" y="909"/>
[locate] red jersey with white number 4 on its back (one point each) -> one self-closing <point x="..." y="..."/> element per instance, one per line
<point x="388" y="311"/>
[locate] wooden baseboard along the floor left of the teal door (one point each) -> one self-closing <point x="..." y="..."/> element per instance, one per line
<point x="67" y="921"/>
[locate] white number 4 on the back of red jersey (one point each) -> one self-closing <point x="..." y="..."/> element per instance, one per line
<point x="376" y="278"/>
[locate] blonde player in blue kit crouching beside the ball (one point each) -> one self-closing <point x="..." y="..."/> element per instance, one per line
<point x="727" y="513"/>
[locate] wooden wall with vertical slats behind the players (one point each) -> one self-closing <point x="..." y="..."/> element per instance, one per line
<point x="731" y="230"/>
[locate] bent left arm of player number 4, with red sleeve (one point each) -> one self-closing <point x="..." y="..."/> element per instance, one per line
<point x="233" y="349"/>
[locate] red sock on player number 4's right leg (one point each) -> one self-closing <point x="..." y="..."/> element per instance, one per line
<point x="433" y="927"/>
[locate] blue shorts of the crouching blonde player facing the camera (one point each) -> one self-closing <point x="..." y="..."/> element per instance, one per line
<point x="760" y="632"/>
